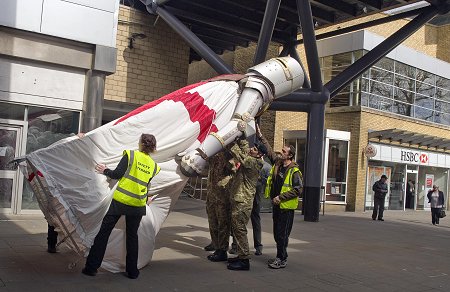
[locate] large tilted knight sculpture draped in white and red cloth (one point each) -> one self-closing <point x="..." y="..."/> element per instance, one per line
<point x="189" y="124"/>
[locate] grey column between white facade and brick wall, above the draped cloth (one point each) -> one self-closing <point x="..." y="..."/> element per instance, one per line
<point x="93" y="101"/>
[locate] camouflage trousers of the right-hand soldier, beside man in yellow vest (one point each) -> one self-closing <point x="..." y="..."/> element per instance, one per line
<point x="240" y="215"/>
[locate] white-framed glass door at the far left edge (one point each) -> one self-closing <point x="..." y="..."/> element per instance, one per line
<point x="10" y="147"/>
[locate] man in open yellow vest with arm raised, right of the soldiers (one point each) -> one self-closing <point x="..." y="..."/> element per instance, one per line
<point x="284" y="186"/>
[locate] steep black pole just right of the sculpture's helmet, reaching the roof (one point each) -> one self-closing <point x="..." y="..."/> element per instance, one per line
<point x="309" y="37"/>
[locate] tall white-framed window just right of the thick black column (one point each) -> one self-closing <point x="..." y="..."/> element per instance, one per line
<point x="337" y="170"/>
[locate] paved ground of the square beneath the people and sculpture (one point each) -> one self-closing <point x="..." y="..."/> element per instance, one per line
<point x="342" y="252"/>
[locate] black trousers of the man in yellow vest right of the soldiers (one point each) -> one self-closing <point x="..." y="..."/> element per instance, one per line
<point x="282" y="226"/>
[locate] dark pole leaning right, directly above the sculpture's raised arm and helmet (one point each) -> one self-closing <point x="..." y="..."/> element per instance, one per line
<point x="265" y="34"/>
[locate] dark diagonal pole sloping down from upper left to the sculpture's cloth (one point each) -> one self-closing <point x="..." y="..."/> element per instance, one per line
<point x="194" y="42"/>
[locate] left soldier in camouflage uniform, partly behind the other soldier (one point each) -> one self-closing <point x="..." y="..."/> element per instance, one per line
<point x="218" y="206"/>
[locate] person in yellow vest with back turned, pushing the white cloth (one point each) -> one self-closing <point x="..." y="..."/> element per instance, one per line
<point x="134" y="171"/>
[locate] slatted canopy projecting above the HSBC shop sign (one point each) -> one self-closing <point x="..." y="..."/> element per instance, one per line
<point x="412" y="138"/>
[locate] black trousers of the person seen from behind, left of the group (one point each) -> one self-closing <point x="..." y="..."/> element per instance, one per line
<point x="97" y="252"/>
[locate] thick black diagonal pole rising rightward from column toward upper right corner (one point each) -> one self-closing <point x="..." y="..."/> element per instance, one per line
<point x="368" y="60"/>
